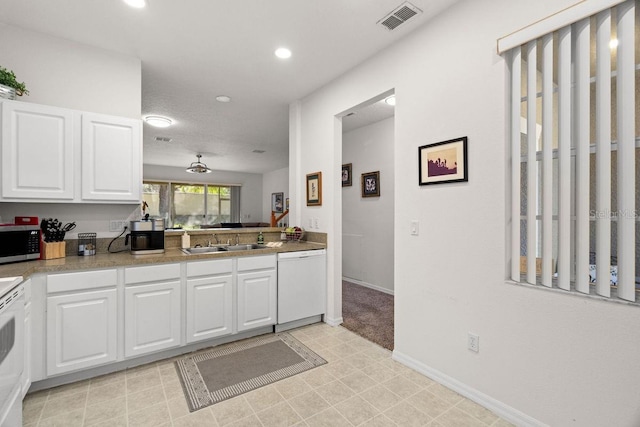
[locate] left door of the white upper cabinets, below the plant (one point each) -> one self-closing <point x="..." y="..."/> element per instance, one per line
<point x="37" y="151"/>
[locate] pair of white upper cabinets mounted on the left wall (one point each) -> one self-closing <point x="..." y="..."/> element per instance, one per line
<point x="52" y="154"/>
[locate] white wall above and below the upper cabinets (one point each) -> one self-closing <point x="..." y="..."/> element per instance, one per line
<point x="67" y="74"/>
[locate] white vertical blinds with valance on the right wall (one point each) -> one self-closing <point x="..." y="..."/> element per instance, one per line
<point x="574" y="148"/>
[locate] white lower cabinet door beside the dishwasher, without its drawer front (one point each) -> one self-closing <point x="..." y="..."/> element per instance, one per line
<point x="257" y="305"/>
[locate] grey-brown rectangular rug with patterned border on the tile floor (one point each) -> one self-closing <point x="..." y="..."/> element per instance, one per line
<point x="232" y="369"/>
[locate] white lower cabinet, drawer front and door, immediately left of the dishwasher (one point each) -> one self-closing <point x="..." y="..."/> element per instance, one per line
<point x="257" y="292"/>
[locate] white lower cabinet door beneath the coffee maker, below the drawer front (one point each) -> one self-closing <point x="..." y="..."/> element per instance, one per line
<point x="152" y="318"/>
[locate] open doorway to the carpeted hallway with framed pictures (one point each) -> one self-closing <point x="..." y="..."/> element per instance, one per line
<point x="368" y="219"/>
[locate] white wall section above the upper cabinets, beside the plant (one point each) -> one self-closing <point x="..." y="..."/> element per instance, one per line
<point x="67" y="74"/>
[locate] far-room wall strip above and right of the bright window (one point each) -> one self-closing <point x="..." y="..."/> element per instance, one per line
<point x="250" y="193"/>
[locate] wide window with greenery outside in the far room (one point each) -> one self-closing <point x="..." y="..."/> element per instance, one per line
<point x="192" y="205"/>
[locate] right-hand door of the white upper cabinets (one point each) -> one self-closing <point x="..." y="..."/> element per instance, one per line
<point x="111" y="158"/>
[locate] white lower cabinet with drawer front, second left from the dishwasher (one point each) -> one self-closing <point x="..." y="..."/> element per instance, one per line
<point x="209" y="299"/>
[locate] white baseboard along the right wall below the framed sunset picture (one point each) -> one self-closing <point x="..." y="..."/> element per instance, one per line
<point x="504" y="411"/>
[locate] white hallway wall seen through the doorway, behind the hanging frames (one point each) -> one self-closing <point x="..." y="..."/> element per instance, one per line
<point x="367" y="222"/>
